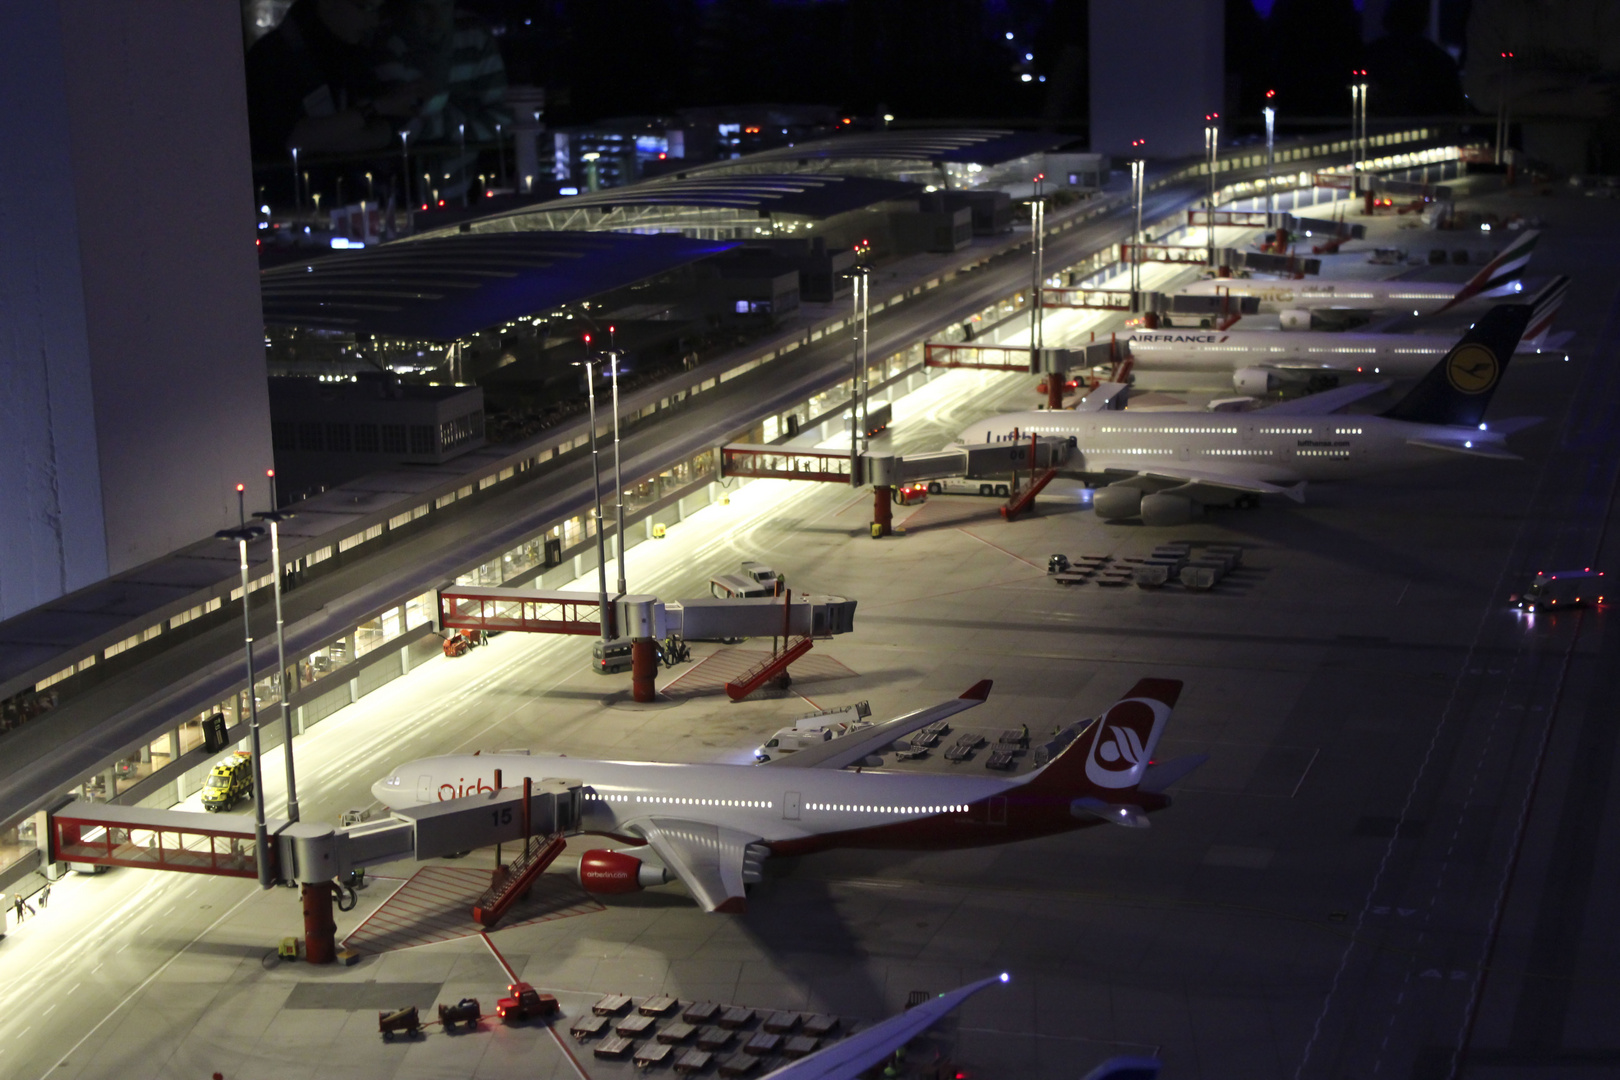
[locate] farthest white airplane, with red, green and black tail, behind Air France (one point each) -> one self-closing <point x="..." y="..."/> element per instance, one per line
<point x="1297" y="299"/>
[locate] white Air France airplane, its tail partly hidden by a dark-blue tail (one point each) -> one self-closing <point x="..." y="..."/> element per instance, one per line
<point x="1260" y="360"/>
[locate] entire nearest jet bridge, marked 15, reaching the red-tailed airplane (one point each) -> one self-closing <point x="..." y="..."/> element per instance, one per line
<point x="90" y="835"/>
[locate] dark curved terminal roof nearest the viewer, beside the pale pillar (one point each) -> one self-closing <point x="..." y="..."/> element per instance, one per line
<point x="448" y="287"/>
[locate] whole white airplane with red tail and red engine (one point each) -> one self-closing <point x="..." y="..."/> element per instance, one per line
<point x="714" y="825"/>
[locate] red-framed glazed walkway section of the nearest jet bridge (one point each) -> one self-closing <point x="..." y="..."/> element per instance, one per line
<point x="192" y="843"/>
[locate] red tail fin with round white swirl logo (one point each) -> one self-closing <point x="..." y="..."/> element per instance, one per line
<point x="1099" y="767"/>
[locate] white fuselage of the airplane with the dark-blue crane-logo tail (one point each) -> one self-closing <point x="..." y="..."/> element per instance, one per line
<point x="1250" y="446"/>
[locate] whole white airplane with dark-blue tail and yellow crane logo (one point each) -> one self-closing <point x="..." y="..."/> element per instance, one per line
<point x="1167" y="467"/>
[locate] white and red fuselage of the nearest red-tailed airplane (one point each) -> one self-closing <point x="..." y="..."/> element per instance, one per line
<point x="791" y="810"/>
